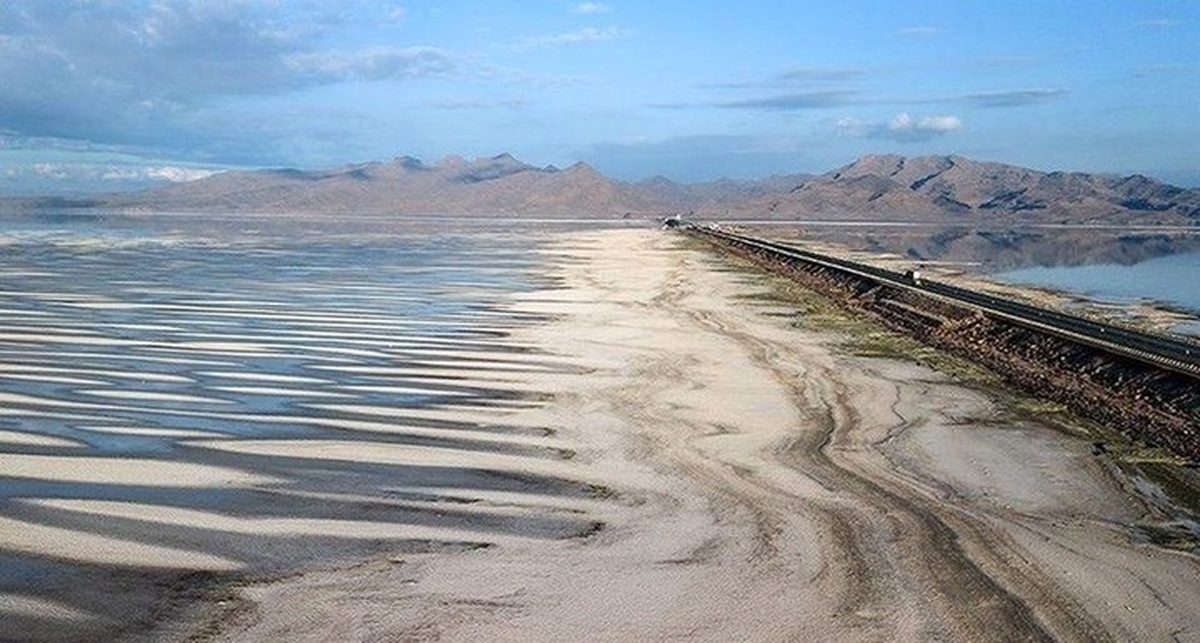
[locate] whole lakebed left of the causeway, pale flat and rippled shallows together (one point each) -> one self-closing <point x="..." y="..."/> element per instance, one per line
<point x="634" y="448"/>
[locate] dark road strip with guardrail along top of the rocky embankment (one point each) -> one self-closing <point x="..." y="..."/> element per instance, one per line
<point x="1174" y="354"/>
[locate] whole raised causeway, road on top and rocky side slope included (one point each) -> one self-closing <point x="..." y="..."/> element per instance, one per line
<point x="1144" y="384"/>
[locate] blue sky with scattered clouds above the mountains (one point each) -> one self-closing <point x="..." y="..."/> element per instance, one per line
<point x="112" y="95"/>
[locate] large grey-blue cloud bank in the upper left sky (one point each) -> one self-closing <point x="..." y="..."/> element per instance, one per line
<point x="164" y="75"/>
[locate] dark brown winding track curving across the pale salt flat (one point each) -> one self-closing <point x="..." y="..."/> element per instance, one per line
<point x="873" y="519"/>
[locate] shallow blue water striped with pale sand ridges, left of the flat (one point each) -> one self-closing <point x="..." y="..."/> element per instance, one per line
<point x="190" y="394"/>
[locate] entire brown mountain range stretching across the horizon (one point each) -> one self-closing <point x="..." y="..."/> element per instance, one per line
<point x="873" y="188"/>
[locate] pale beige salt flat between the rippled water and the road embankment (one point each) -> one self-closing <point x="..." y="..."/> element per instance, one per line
<point x="753" y="483"/>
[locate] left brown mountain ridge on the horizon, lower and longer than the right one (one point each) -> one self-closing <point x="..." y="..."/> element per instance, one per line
<point x="495" y="187"/>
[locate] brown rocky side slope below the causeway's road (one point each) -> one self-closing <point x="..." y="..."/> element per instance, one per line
<point x="1147" y="404"/>
